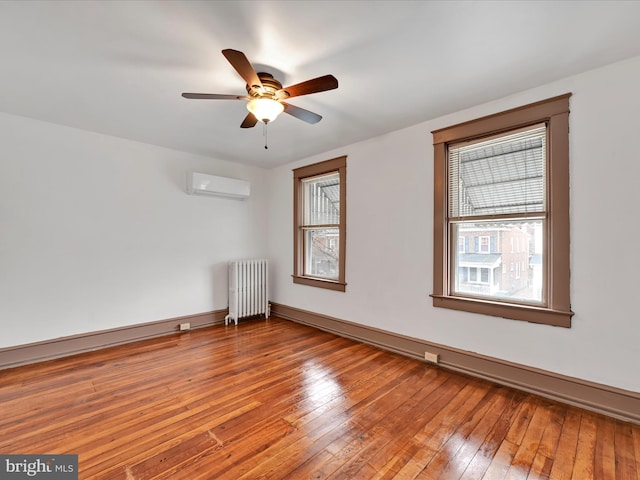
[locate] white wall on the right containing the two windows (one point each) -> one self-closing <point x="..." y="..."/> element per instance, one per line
<point x="389" y="238"/>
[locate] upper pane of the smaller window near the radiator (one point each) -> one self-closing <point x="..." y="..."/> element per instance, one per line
<point x="322" y="200"/>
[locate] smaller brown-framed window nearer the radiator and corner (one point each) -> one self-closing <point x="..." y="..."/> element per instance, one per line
<point x="319" y="196"/>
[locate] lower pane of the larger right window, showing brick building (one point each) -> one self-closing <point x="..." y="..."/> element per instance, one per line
<point x="521" y="280"/>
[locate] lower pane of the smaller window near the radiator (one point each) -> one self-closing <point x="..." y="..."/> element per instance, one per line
<point x="322" y="252"/>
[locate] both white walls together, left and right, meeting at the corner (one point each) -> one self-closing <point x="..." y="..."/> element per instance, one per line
<point x="97" y="232"/>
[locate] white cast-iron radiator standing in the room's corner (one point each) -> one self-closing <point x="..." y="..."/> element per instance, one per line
<point x="248" y="289"/>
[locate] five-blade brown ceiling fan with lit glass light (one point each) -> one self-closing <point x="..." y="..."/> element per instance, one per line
<point x="266" y="95"/>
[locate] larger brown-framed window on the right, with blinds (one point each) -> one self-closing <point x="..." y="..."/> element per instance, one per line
<point x="506" y="178"/>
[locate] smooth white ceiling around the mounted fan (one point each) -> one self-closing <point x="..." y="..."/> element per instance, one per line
<point x="119" y="67"/>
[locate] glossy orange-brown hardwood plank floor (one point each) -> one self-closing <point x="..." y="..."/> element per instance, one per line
<point x="274" y="399"/>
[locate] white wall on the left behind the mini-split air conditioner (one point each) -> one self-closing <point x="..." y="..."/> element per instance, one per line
<point x="97" y="232"/>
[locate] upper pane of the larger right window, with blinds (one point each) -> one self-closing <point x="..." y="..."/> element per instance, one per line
<point x="501" y="175"/>
